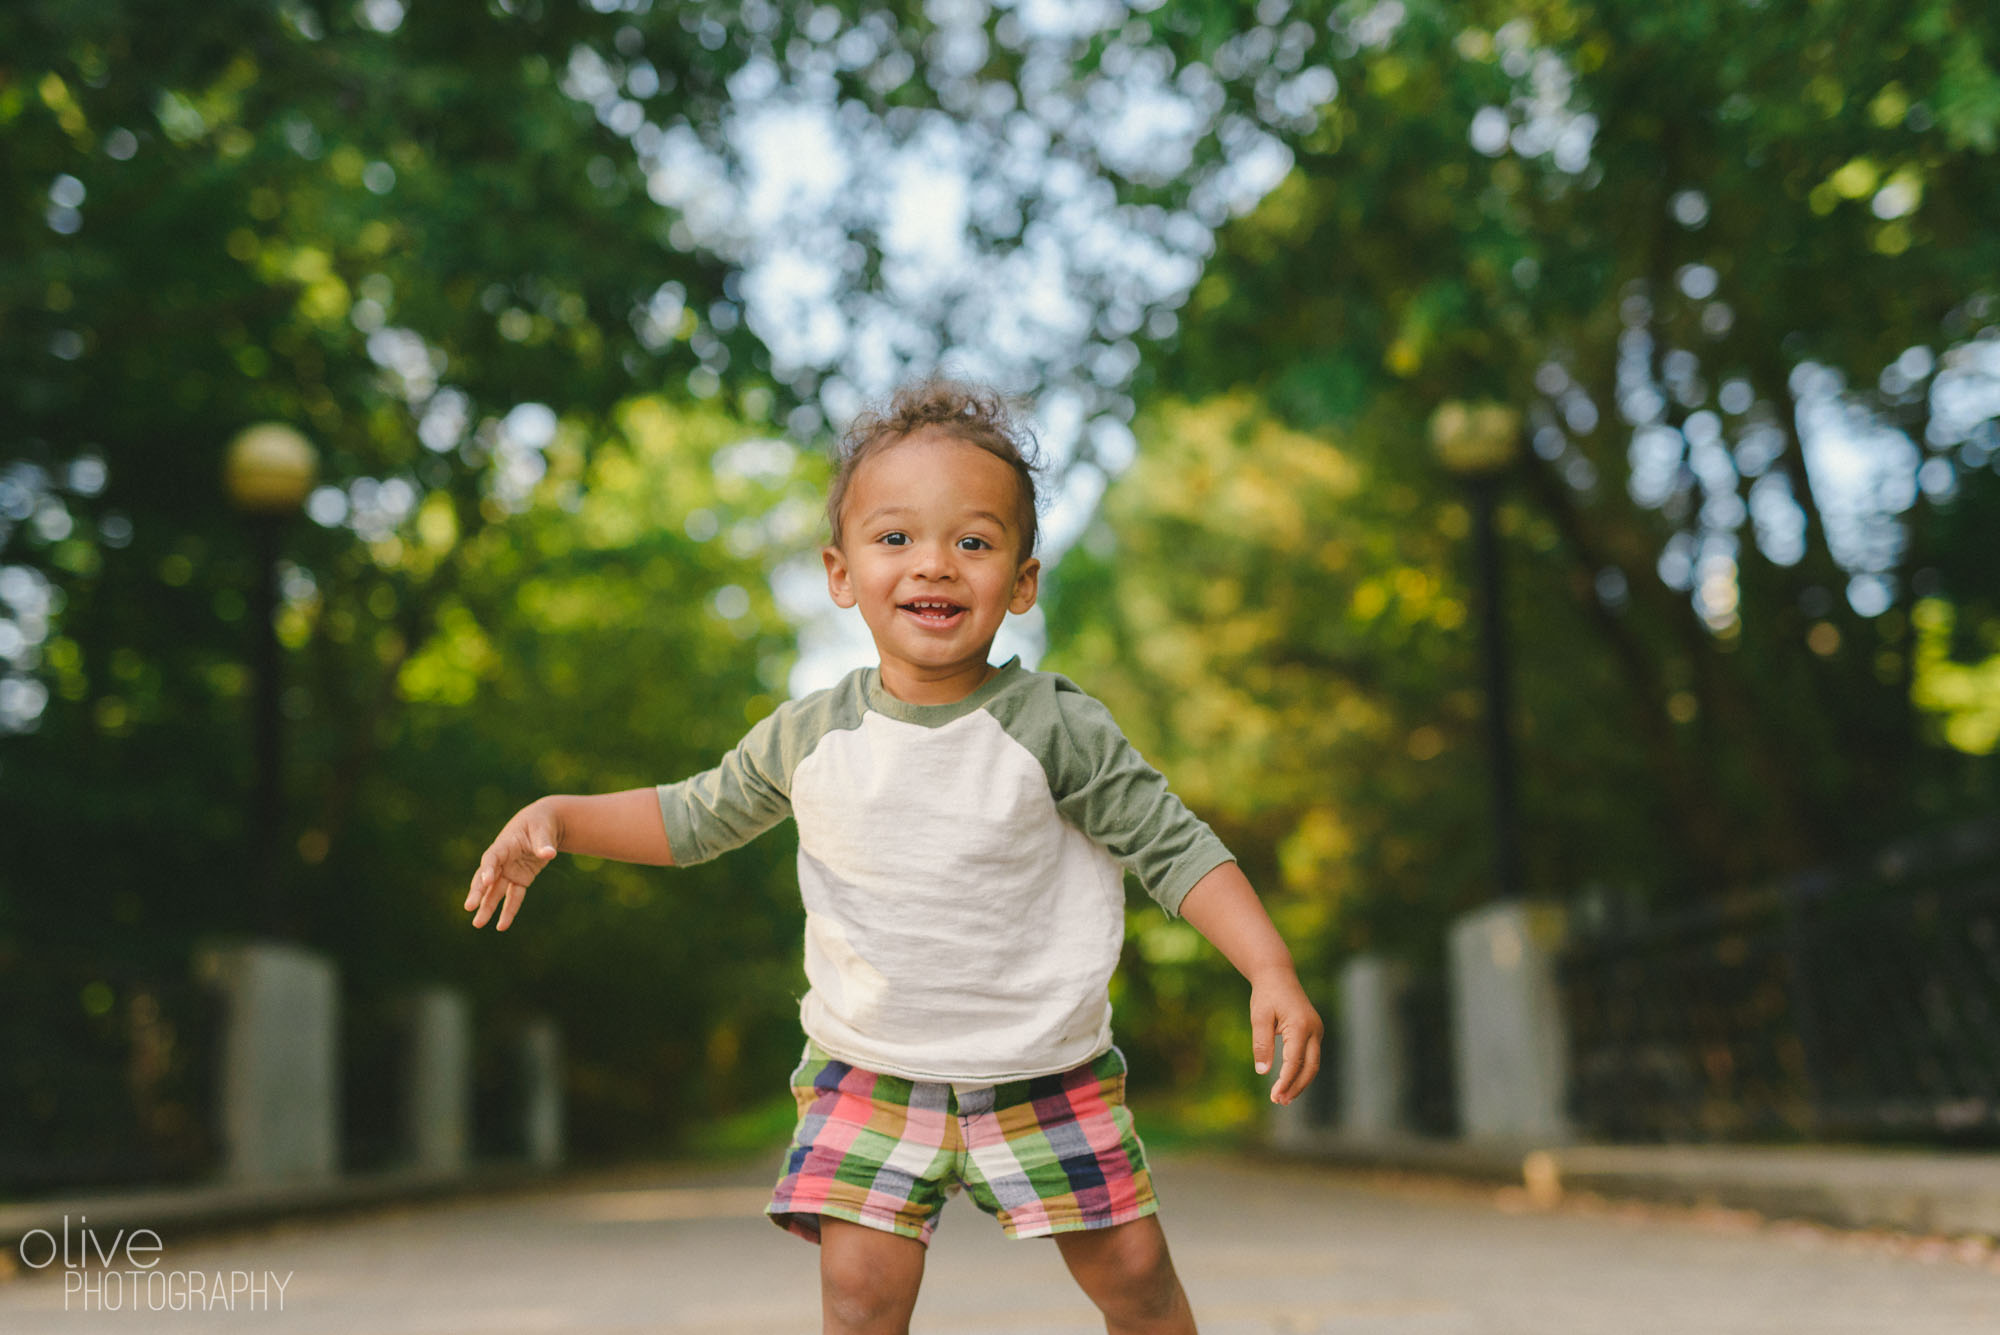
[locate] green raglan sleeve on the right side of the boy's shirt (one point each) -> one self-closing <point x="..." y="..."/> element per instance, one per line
<point x="1109" y="792"/>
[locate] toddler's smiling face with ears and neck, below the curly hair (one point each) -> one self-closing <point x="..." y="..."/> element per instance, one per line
<point x="931" y="555"/>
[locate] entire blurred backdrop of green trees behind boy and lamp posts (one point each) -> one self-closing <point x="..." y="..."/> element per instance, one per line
<point x="1731" y="261"/>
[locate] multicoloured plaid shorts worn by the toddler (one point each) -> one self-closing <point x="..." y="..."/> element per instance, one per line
<point x="1045" y="1156"/>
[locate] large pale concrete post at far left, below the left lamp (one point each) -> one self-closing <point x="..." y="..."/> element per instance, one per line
<point x="281" y="1062"/>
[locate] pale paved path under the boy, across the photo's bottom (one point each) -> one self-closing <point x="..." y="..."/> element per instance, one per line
<point x="1265" y="1248"/>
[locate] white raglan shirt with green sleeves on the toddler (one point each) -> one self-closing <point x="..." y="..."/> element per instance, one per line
<point x="963" y="866"/>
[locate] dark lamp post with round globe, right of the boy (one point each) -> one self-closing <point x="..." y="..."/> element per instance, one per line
<point x="1479" y="445"/>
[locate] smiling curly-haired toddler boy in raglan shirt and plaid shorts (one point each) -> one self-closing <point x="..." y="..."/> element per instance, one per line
<point x="963" y="840"/>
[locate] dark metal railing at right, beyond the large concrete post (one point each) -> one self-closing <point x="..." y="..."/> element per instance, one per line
<point x="1861" y="1002"/>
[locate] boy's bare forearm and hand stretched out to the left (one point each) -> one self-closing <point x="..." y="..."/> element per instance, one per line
<point x="619" y="826"/>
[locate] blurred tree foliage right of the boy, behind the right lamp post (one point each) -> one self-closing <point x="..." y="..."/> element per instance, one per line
<point x="1729" y="263"/>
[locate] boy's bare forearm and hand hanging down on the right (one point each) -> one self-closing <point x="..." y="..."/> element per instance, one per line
<point x="1225" y="908"/>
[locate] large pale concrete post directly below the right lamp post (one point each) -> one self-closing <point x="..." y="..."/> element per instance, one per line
<point x="1509" y="1034"/>
